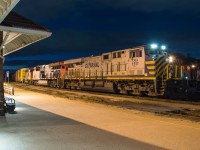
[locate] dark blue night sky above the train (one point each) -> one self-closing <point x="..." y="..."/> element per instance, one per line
<point x="90" y="27"/>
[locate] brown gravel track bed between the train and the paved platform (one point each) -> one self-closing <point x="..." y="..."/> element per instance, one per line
<point x="162" y="107"/>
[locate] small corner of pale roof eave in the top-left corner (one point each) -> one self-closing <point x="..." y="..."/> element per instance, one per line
<point x="5" y="7"/>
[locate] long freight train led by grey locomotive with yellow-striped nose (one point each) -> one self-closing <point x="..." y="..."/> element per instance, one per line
<point x="142" y="70"/>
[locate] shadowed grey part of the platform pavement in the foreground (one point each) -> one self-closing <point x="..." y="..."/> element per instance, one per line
<point x="32" y="128"/>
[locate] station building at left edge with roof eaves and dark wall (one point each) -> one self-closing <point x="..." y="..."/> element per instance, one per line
<point x="16" y="32"/>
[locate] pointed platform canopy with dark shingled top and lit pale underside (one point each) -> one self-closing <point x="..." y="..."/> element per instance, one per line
<point x="19" y="32"/>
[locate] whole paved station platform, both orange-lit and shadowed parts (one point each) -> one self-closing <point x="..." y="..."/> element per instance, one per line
<point x="44" y="121"/>
